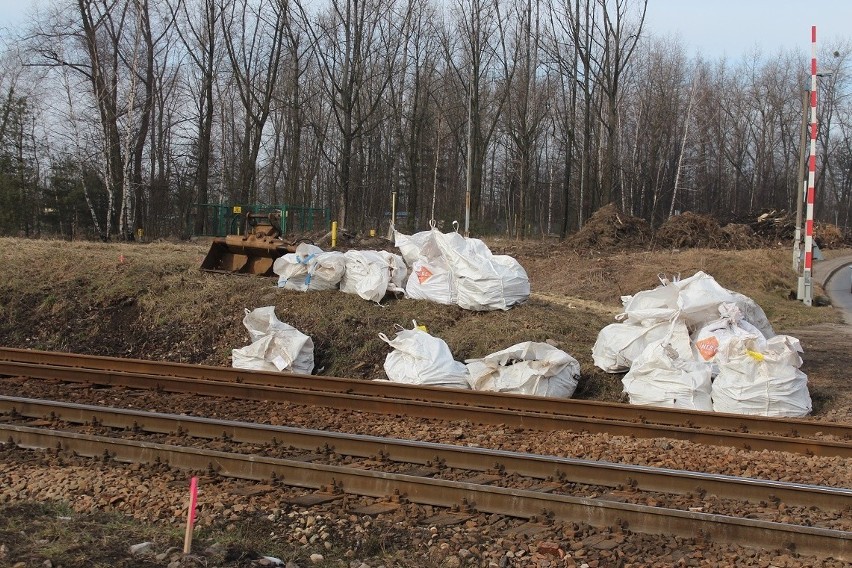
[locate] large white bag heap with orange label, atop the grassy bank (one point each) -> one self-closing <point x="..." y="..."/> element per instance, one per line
<point x="451" y="269"/>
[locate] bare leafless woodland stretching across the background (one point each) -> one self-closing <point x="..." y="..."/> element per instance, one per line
<point x="119" y="115"/>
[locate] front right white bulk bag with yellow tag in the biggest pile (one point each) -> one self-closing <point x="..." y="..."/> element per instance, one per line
<point x="764" y="382"/>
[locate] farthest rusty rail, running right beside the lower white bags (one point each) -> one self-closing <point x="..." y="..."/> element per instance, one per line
<point x="590" y="409"/>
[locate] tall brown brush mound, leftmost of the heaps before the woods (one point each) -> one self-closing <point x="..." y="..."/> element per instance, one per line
<point x="610" y="229"/>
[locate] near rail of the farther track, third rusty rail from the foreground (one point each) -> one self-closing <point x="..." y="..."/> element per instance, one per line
<point x="423" y="409"/>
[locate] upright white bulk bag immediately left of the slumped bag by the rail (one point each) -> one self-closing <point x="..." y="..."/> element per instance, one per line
<point x="419" y="358"/>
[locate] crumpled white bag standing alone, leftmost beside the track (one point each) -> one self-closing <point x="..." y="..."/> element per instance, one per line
<point x="276" y="346"/>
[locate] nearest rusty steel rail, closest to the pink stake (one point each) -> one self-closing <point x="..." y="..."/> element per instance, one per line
<point x="824" y="543"/>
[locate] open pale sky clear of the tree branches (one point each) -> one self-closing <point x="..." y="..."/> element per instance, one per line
<point x="715" y="28"/>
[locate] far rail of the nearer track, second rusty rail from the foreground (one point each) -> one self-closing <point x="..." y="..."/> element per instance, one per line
<point x="566" y="470"/>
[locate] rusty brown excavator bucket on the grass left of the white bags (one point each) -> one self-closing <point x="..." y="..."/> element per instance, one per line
<point x="253" y="250"/>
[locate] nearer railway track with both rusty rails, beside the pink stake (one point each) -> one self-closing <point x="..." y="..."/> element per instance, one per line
<point x="366" y="478"/>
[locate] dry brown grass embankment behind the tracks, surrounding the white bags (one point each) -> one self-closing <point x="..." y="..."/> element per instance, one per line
<point x="151" y="301"/>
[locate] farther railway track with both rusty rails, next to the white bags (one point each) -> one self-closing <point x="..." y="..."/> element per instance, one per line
<point x="739" y="431"/>
